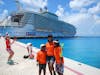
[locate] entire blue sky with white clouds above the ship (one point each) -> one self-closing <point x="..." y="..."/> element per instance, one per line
<point x="83" y="14"/>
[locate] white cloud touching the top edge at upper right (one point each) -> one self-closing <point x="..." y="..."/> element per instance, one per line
<point x="78" y="4"/>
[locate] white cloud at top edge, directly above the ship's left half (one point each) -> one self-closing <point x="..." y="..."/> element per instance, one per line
<point x="33" y="5"/>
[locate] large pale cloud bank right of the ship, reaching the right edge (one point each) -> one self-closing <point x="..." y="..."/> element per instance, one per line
<point x="86" y="23"/>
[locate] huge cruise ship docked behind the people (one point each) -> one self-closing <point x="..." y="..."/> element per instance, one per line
<point x="36" y="24"/>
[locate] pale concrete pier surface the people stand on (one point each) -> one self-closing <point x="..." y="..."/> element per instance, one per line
<point x="28" y="66"/>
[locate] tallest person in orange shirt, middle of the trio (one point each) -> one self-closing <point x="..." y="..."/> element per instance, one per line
<point x="50" y="54"/>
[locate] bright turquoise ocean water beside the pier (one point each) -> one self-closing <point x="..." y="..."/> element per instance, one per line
<point x="85" y="50"/>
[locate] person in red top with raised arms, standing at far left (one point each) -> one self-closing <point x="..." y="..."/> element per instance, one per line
<point x="8" y="48"/>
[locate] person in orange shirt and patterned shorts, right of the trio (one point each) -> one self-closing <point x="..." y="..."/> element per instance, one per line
<point x="58" y="58"/>
